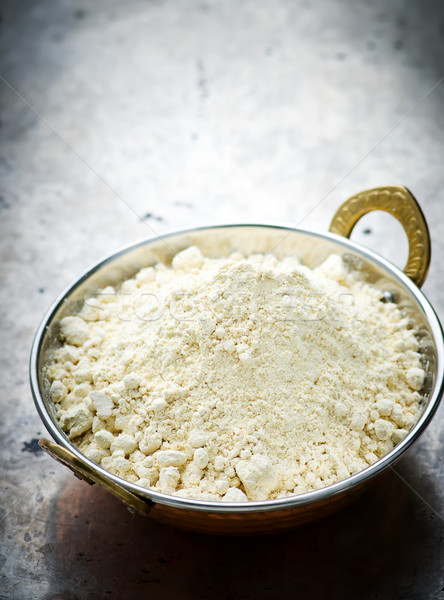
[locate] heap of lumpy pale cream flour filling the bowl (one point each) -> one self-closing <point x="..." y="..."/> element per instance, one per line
<point x="236" y="379"/>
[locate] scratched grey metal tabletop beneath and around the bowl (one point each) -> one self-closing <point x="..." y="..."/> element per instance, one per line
<point x="123" y="120"/>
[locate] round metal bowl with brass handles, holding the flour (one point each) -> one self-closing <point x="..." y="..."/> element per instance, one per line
<point x="313" y="248"/>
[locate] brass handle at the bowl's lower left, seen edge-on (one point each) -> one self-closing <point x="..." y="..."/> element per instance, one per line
<point x="83" y="471"/>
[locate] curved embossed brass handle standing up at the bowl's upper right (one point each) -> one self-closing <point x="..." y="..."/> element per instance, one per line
<point x="399" y="202"/>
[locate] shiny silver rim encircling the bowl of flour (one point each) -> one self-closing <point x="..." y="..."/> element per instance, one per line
<point x="313" y="497"/>
